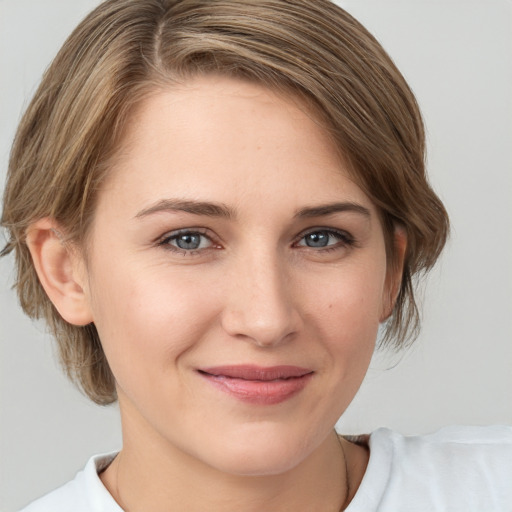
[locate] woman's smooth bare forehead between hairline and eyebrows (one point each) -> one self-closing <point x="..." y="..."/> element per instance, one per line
<point x="217" y="136"/>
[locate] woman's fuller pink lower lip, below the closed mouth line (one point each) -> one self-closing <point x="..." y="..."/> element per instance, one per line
<point x="261" y="392"/>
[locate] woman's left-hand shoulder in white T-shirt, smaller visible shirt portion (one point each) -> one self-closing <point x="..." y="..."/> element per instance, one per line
<point x="85" y="493"/>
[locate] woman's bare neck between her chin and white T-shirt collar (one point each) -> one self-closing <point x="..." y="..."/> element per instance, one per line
<point x="157" y="480"/>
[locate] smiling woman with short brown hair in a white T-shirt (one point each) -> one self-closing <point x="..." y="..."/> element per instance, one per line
<point x="215" y="211"/>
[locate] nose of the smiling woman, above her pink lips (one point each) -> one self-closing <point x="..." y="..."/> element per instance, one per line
<point x="259" y="305"/>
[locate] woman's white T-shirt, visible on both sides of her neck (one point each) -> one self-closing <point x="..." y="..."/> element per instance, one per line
<point x="458" y="469"/>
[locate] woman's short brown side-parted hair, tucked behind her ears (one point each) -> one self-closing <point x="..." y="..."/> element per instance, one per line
<point x="125" y="49"/>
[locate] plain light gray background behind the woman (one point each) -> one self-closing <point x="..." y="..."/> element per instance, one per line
<point x="456" y="54"/>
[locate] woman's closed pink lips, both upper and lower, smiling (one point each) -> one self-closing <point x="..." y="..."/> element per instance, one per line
<point x="256" y="384"/>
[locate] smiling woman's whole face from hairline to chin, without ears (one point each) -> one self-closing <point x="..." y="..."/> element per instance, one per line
<point x="236" y="276"/>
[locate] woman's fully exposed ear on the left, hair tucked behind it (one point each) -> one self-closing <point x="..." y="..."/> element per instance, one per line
<point x="61" y="271"/>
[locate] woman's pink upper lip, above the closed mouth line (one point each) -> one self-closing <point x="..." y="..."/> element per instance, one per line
<point x="253" y="372"/>
